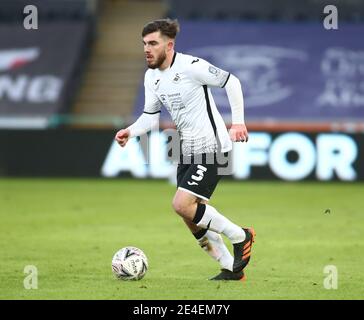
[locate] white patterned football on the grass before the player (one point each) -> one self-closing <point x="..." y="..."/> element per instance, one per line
<point x="129" y="263"/>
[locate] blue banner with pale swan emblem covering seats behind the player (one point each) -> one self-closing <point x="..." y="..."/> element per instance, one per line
<point x="289" y="72"/>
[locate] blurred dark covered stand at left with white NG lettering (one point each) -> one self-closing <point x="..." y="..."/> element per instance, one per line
<point x="40" y="69"/>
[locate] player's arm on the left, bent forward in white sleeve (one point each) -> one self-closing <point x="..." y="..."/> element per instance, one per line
<point x="149" y="120"/>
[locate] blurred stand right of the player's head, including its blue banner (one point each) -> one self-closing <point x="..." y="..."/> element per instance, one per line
<point x="315" y="72"/>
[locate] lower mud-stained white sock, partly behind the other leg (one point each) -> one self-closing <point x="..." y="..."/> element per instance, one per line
<point x="215" y="247"/>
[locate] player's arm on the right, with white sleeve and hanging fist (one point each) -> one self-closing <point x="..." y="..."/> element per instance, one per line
<point x="206" y="74"/>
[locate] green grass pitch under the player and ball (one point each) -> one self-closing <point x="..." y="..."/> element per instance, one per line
<point x="70" y="228"/>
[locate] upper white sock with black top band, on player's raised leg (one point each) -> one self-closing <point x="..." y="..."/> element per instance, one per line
<point x="208" y="217"/>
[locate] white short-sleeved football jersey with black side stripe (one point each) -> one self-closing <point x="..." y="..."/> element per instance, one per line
<point x="183" y="89"/>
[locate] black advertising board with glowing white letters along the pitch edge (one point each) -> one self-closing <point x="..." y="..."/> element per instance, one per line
<point x="286" y="156"/>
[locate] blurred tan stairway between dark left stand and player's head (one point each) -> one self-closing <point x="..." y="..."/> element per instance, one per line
<point x="116" y="66"/>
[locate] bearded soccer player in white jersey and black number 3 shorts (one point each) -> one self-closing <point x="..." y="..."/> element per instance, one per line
<point x="180" y="83"/>
